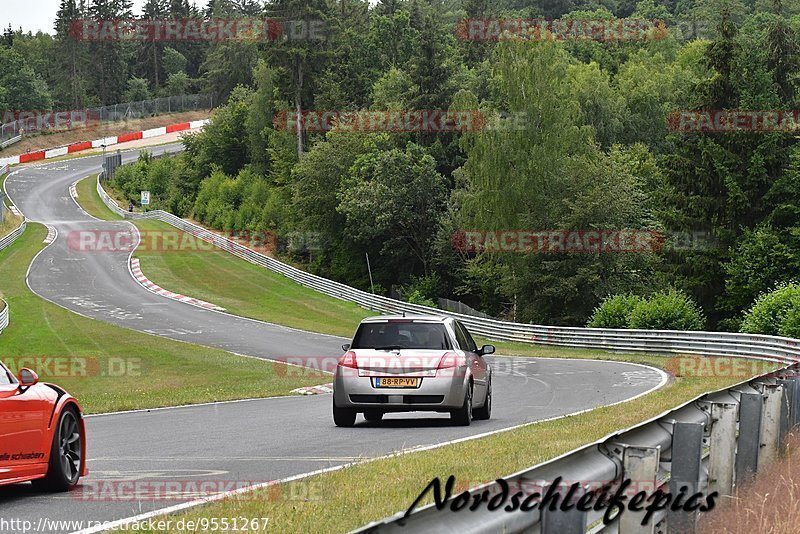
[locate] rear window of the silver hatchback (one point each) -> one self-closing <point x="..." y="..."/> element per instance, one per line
<point x="401" y="335"/>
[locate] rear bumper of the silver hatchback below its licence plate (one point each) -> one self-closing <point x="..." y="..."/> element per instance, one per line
<point x="433" y="394"/>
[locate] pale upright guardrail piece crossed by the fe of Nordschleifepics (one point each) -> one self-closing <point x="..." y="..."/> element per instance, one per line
<point x="640" y="465"/>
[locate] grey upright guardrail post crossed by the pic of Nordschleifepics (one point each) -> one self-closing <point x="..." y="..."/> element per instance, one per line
<point x="687" y="455"/>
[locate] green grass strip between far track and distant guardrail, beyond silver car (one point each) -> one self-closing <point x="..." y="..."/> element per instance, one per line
<point x="238" y="286"/>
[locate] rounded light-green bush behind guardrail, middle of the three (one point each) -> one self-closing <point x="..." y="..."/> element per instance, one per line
<point x="667" y="310"/>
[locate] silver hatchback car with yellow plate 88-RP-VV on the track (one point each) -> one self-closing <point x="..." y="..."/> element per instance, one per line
<point x="406" y="364"/>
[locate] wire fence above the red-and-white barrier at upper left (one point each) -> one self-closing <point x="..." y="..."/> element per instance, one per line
<point x="41" y="121"/>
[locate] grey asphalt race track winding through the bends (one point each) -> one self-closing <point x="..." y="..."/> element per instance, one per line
<point x="254" y="441"/>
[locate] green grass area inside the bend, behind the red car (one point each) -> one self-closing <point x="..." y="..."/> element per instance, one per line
<point x="88" y="357"/>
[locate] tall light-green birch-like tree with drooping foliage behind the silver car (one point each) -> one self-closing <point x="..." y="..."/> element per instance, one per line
<point x="550" y="175"/>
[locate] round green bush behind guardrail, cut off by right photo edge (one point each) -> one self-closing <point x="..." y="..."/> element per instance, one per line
<point x="775" y="313"/>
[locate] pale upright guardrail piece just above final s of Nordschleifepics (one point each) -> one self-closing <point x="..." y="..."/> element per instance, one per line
<point x="722" y="456"/>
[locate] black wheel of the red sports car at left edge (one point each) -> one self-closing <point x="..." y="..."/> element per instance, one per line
<point x="64" y="468"/>
